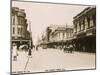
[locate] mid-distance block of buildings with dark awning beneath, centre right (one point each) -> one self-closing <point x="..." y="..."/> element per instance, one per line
<point x="58" y="36"/>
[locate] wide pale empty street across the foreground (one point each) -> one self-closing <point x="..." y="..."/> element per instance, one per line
<point x="53" y="59"/>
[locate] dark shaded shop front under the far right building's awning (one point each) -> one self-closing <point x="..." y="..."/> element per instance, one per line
<point x="86" y="42"/>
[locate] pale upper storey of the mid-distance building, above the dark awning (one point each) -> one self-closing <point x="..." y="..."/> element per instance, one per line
<point x="61" y="34"/>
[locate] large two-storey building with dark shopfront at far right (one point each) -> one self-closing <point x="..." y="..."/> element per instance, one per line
<point x="85" y="30"/>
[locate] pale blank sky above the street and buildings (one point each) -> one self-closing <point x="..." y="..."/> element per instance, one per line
<point x="42" y="15"/>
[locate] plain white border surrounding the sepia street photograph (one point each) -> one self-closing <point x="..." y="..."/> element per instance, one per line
<point x="5" y="37"/>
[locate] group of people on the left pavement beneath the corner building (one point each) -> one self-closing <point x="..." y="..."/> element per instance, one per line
<point x="16" y="48"/>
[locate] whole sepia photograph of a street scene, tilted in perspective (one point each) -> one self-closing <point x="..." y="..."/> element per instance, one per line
<point x="50" y="37"/>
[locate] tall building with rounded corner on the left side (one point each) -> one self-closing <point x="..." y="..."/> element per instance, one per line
<point x="20" y="34"/>
